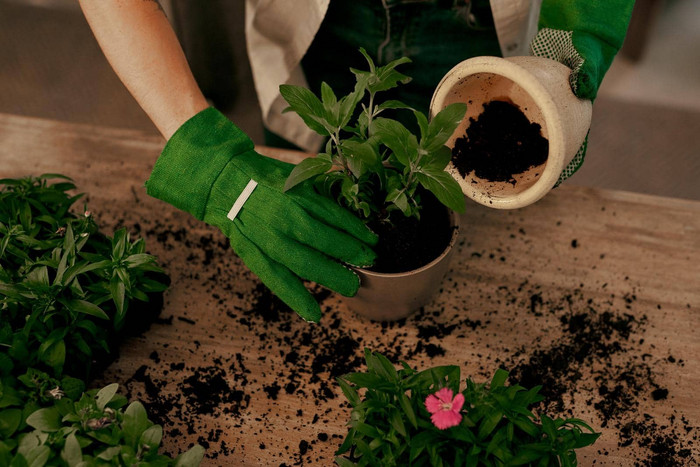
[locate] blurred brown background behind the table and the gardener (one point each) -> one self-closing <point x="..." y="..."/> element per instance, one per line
<point x="645" y="135"/>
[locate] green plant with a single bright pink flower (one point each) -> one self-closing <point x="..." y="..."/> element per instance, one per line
<point x="409" y="417"/>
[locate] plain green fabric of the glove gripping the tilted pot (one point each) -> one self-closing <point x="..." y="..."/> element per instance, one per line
<point x="598" y="30"/>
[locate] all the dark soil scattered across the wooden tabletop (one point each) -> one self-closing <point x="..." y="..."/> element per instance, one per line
<point x="593" y="347"/>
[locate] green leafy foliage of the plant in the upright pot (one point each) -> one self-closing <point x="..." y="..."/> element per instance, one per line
<point x="376" y="165"/>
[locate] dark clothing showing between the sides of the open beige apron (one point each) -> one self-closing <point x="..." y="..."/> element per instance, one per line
<point x="435" y="35"/>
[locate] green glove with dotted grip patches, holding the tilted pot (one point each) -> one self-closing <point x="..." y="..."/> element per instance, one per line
<point x="584" y="35"/>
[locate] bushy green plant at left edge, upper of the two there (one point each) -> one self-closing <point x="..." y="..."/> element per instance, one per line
<point x="64" y="287"/>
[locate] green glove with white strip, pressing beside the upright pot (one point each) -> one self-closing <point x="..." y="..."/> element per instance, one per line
<point x="209" y="167"/>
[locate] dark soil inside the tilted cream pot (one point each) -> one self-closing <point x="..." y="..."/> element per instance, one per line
<point x="499" y="144"/>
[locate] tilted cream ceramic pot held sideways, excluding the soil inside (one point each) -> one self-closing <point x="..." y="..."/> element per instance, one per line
<point x="540" y="87"/>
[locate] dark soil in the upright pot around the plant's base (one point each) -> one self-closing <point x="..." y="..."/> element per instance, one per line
<point x="407" y="243"/>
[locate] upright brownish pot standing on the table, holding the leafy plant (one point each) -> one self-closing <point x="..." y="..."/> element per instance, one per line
<point x="388" y="297"/>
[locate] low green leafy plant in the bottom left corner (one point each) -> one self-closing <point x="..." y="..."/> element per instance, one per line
<point x="49" y="422"/>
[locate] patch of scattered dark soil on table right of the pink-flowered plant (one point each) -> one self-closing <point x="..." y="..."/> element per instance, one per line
<point x="592" y="353"/>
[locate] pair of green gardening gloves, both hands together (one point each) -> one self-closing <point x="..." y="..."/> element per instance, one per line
<point x="210" y="169"/>
